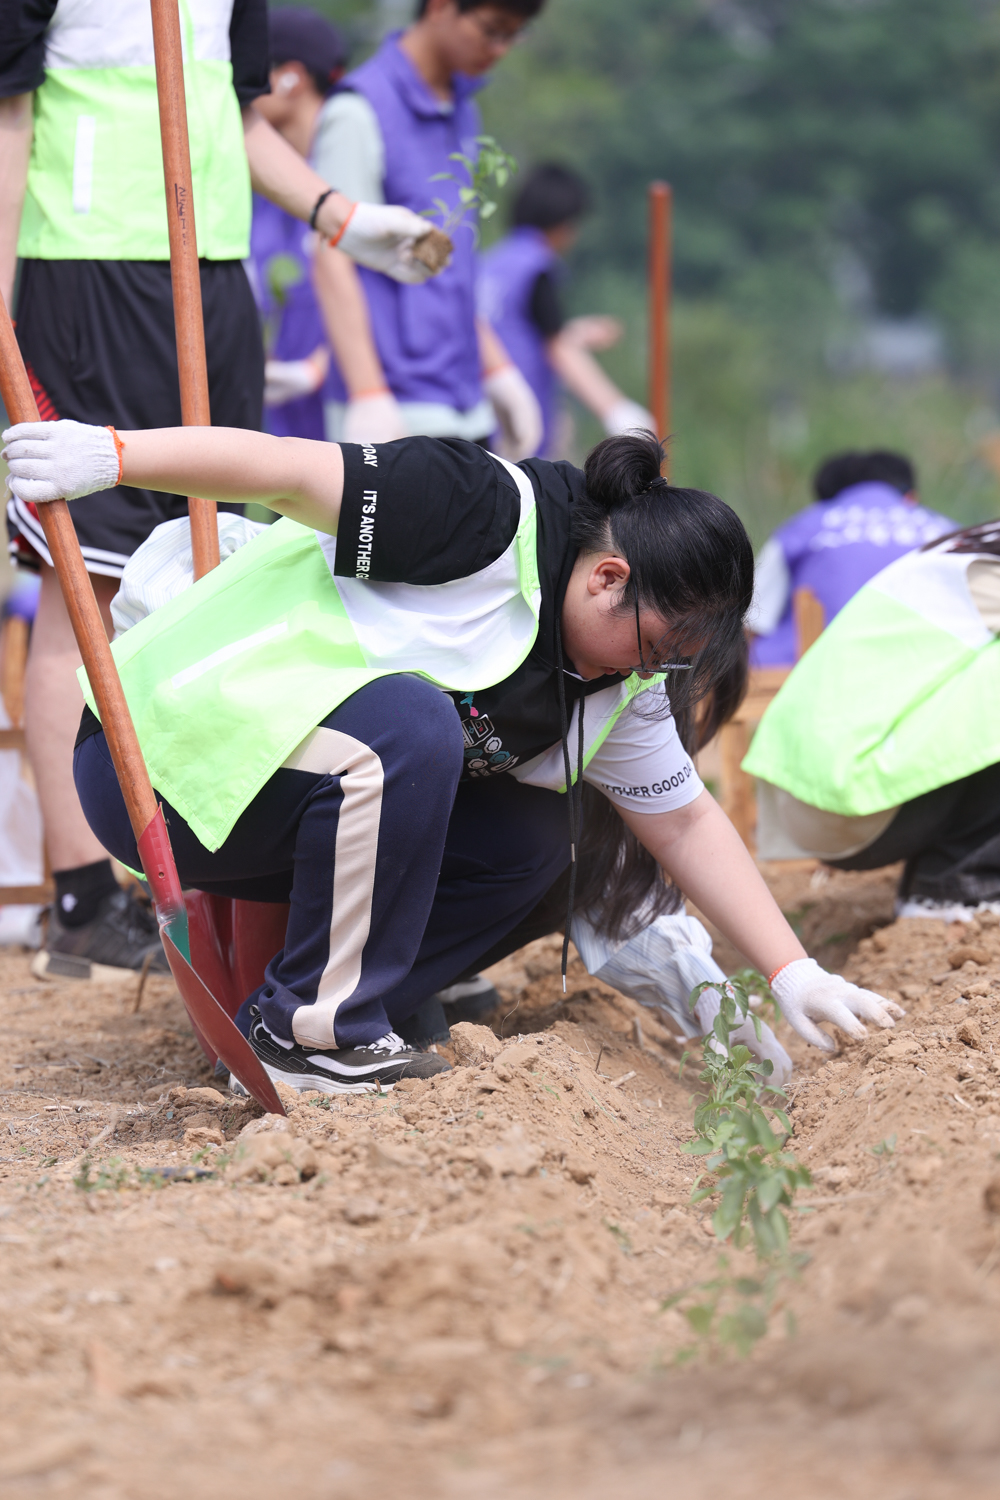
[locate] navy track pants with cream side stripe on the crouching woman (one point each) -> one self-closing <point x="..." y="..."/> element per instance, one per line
<point x="400" y="878"/>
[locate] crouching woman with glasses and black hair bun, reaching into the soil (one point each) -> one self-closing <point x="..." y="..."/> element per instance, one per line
<point x="386" y="706"/>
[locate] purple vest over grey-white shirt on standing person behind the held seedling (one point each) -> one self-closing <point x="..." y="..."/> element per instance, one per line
<point x="425" y="335"/>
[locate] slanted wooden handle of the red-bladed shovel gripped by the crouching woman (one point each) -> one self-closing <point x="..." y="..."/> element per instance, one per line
<point x="68" y="560"/>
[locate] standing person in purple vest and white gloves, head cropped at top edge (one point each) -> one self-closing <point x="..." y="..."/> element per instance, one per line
<point x="418" y="364"/>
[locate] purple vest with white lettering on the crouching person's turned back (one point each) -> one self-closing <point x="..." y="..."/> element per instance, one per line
<point x="837" y="545"/>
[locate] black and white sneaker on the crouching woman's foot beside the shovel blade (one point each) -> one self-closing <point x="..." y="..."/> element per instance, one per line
<point x="347" y="1070"/>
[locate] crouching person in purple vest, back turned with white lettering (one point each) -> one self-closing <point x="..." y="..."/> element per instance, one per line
<point x="866" y="517"/>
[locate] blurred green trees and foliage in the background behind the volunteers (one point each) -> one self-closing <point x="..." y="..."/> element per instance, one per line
<point x="837" y="221"/>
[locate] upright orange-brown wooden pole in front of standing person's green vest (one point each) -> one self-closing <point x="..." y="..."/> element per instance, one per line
<point x="184" y="262"/>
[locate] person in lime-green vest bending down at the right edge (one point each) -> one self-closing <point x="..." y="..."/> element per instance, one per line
<point x="885" y="742"/>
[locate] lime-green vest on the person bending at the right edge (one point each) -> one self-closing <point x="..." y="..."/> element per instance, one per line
<point x="899" y="697"/>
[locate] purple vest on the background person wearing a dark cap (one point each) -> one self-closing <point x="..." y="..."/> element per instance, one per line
<point x="277" y="245"/>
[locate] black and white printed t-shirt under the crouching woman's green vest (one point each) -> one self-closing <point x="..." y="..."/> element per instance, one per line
<point x="433" y="512"/>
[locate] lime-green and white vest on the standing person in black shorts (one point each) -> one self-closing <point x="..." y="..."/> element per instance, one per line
<point x="95" y="187"/>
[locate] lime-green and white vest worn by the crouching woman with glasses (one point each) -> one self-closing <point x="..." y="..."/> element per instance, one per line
<point x="229" y="677"/>
